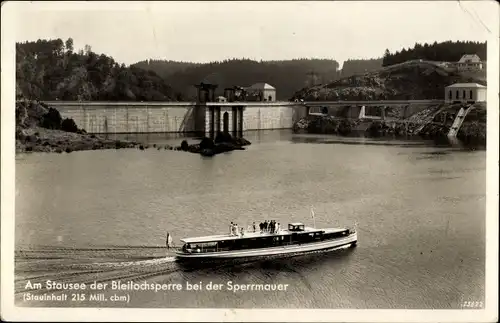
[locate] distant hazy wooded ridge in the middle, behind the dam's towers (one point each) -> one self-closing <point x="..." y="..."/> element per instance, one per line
<point x="286" y="76"/>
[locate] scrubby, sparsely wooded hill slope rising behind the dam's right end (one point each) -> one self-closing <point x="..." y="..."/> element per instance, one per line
<point x="412" y="80"/>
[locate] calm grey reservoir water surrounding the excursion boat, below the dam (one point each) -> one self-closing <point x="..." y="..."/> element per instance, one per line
<point x="103" y="216"/>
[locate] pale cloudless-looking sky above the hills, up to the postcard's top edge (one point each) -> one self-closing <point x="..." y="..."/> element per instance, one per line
<point x="210" y="31"/>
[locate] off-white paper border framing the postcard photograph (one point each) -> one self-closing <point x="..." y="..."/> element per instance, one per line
<point x="11" y="313"/>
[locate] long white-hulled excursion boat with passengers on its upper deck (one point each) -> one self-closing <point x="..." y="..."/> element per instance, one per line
<point x="297" y="239"/>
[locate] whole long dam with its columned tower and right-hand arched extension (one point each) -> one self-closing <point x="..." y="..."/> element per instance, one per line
<point x="210" y="117"/>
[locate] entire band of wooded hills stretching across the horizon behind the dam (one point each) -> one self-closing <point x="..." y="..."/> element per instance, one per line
<point x="52" y="69"/>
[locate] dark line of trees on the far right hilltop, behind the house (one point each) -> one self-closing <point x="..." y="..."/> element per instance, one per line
<point x="445" y="52"/>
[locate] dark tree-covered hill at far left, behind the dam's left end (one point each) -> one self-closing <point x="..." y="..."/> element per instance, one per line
<point x="52" y="70"/>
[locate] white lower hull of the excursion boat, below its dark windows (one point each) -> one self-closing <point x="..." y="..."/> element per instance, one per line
<point x="289" y="250"/>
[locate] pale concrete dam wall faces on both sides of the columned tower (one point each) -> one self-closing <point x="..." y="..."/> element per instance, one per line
<point x="164" y="117"/>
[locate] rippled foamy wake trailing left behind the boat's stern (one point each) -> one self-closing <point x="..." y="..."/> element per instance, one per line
<point x="66" y="265"/>
